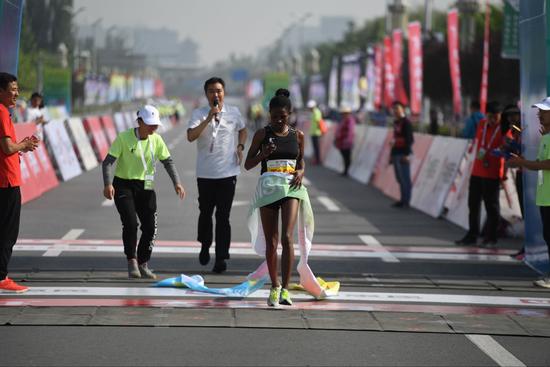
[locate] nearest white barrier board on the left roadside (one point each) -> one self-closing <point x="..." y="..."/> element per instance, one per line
<point x="61" y="149"/>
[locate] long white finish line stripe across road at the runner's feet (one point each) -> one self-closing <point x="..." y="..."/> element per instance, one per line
<point x="414" y="298"/>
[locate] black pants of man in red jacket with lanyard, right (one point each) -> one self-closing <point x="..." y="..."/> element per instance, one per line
<point x="488" y="191"/>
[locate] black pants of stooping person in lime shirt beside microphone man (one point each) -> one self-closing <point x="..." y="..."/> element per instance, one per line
<point x="132" y="202"/>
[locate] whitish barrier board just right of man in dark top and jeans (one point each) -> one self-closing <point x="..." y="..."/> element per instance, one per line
<point x="437" y="174"/>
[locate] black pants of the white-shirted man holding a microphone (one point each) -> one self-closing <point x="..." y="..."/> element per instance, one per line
<point x="216" y="193"/>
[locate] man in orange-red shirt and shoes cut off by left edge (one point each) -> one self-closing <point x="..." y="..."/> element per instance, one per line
<point x="10" y="179"/>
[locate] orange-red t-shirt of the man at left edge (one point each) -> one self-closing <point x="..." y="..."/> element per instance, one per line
<point x="10" y="169"/>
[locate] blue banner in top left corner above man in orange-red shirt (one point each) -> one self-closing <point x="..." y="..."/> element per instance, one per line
<point x="11" y="14"/>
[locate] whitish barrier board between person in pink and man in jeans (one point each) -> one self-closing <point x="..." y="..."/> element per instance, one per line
<point x="364" y="161"/>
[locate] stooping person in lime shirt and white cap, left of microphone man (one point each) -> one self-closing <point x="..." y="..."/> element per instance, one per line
<point x="135" y="151"/>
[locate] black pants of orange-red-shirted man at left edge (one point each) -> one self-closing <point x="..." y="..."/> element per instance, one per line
<point x="10" y="213"/>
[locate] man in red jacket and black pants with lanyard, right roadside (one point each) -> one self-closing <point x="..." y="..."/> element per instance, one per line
<point x="487" y="174"/>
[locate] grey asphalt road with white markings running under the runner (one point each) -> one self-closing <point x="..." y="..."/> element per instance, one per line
<point x="408" y="295"/>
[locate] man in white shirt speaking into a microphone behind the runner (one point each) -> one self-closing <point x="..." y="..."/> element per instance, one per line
<point x="220" y="133"/>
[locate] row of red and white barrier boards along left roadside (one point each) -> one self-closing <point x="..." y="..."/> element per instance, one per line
<point x="71" y="145"/>
